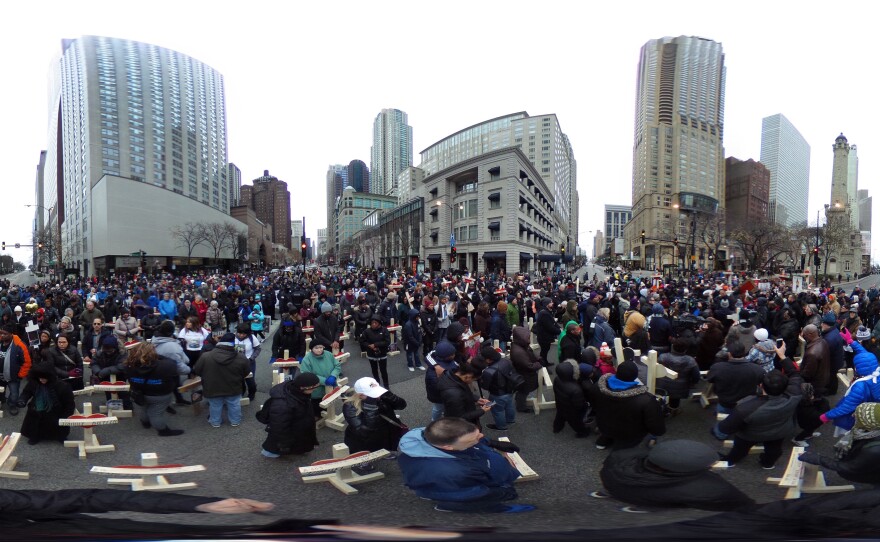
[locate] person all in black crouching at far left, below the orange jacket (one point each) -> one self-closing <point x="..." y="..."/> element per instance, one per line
<point x="47" y="400"/>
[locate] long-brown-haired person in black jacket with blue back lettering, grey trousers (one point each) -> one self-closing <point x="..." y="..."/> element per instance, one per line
<point x="153" y="380"/>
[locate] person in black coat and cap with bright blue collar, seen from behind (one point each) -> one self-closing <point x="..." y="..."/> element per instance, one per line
<point x="626" y="412"/>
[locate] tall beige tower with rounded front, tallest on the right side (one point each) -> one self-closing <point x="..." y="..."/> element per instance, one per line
<point x="678" y="152"/>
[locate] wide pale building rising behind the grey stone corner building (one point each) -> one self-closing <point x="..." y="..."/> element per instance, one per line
<point x="540" y="138"/>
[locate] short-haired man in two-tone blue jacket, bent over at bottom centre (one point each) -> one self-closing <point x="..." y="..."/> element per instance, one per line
<point x="452" y="463"/>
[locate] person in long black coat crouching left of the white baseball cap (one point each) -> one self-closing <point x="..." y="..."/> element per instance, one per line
<point x="291" y="428"/>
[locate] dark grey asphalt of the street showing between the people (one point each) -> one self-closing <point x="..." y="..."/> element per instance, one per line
<point x="568" y="467"/>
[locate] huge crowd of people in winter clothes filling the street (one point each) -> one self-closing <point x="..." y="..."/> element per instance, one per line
<point x="772" y="357"/>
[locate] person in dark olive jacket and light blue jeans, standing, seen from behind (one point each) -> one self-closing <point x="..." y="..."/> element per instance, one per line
<point x="223" y="371"/>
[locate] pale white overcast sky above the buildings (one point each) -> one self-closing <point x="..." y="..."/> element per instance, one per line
<point x="304" y="80"/>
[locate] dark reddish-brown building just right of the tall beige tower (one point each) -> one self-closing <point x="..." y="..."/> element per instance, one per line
<point x="747" y="194"/>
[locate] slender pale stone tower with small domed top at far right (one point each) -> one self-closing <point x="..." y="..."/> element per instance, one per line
<point x="845" y="257"/>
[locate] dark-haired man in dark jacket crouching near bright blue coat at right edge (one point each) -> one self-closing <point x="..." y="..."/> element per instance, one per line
<point x="768" y="418"/>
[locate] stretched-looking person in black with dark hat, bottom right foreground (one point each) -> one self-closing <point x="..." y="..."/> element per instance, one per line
<point x="672" y="474"/>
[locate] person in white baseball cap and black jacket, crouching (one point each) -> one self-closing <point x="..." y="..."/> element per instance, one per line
<point x="371" y="421"/>
